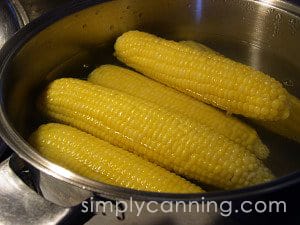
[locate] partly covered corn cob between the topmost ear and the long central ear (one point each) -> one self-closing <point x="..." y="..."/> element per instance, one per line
<point x="130" y="82"/>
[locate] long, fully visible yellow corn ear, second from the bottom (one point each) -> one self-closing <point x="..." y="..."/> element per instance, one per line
<point x="167" y="139"/>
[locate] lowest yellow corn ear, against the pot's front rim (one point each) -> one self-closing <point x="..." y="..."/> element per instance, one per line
<point x="101" y="161"/>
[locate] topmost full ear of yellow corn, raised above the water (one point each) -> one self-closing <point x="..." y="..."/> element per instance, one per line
<point x="208" y="77"/>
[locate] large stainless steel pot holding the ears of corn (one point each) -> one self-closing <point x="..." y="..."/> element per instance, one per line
<point x="79" y="36"/>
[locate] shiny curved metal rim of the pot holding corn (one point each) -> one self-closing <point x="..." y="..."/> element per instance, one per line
<point x="27" y="153"/>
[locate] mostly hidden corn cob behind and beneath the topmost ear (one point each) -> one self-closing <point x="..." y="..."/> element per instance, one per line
<point x="290" y="127"/>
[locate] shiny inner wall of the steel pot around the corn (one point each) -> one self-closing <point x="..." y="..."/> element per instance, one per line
<point x="249" y="32"/>
